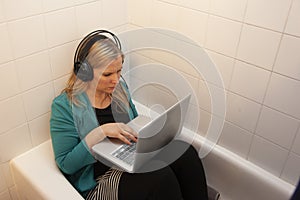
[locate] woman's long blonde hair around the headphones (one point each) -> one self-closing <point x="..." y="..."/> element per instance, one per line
<point x="101" y="53"/>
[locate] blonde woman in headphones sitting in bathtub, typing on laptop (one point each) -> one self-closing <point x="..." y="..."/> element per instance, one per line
<point x="95" y="104"/>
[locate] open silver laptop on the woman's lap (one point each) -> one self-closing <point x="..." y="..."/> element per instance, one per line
<point x="153" y="135"/>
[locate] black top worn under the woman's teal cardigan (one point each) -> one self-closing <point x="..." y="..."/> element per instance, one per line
<point x="104" y="116"/>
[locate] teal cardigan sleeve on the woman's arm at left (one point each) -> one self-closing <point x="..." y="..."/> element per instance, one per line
<point x="70" y="151"/>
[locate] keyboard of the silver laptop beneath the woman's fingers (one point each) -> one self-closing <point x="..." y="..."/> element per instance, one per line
<point x="125" y="153"/>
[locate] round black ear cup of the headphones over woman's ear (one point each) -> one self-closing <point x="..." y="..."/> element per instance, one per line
<point x="83" y="71"/>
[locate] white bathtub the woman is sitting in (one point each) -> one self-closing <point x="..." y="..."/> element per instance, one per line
<point x="37" y="176"/>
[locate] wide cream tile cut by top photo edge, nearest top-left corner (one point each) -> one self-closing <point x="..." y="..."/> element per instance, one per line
<point x="24" y="9"/>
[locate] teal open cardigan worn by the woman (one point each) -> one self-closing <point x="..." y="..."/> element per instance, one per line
<point x="69" y="124"/>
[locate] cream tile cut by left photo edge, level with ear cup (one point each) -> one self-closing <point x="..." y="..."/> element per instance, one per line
<point x="8" y="80"/>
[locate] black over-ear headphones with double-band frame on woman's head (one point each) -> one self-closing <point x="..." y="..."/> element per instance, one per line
<point x="82" y="69"/>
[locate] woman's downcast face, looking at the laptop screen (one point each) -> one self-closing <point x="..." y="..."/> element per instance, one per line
<point x="109" y="76"/>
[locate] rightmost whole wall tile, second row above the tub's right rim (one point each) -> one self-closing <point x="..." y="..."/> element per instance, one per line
<point x="277" y="127"/>
